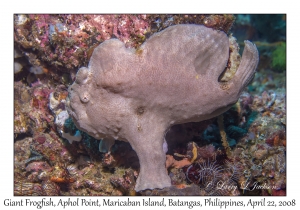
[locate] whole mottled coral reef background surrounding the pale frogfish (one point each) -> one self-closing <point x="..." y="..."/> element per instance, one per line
<point x="48" y="50"/>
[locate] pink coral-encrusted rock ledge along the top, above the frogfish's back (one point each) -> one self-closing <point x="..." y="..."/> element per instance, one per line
<point x="67" y="41"/>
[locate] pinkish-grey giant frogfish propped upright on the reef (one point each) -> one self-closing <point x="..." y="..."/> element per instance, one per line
<point x="136" y="95"/>
